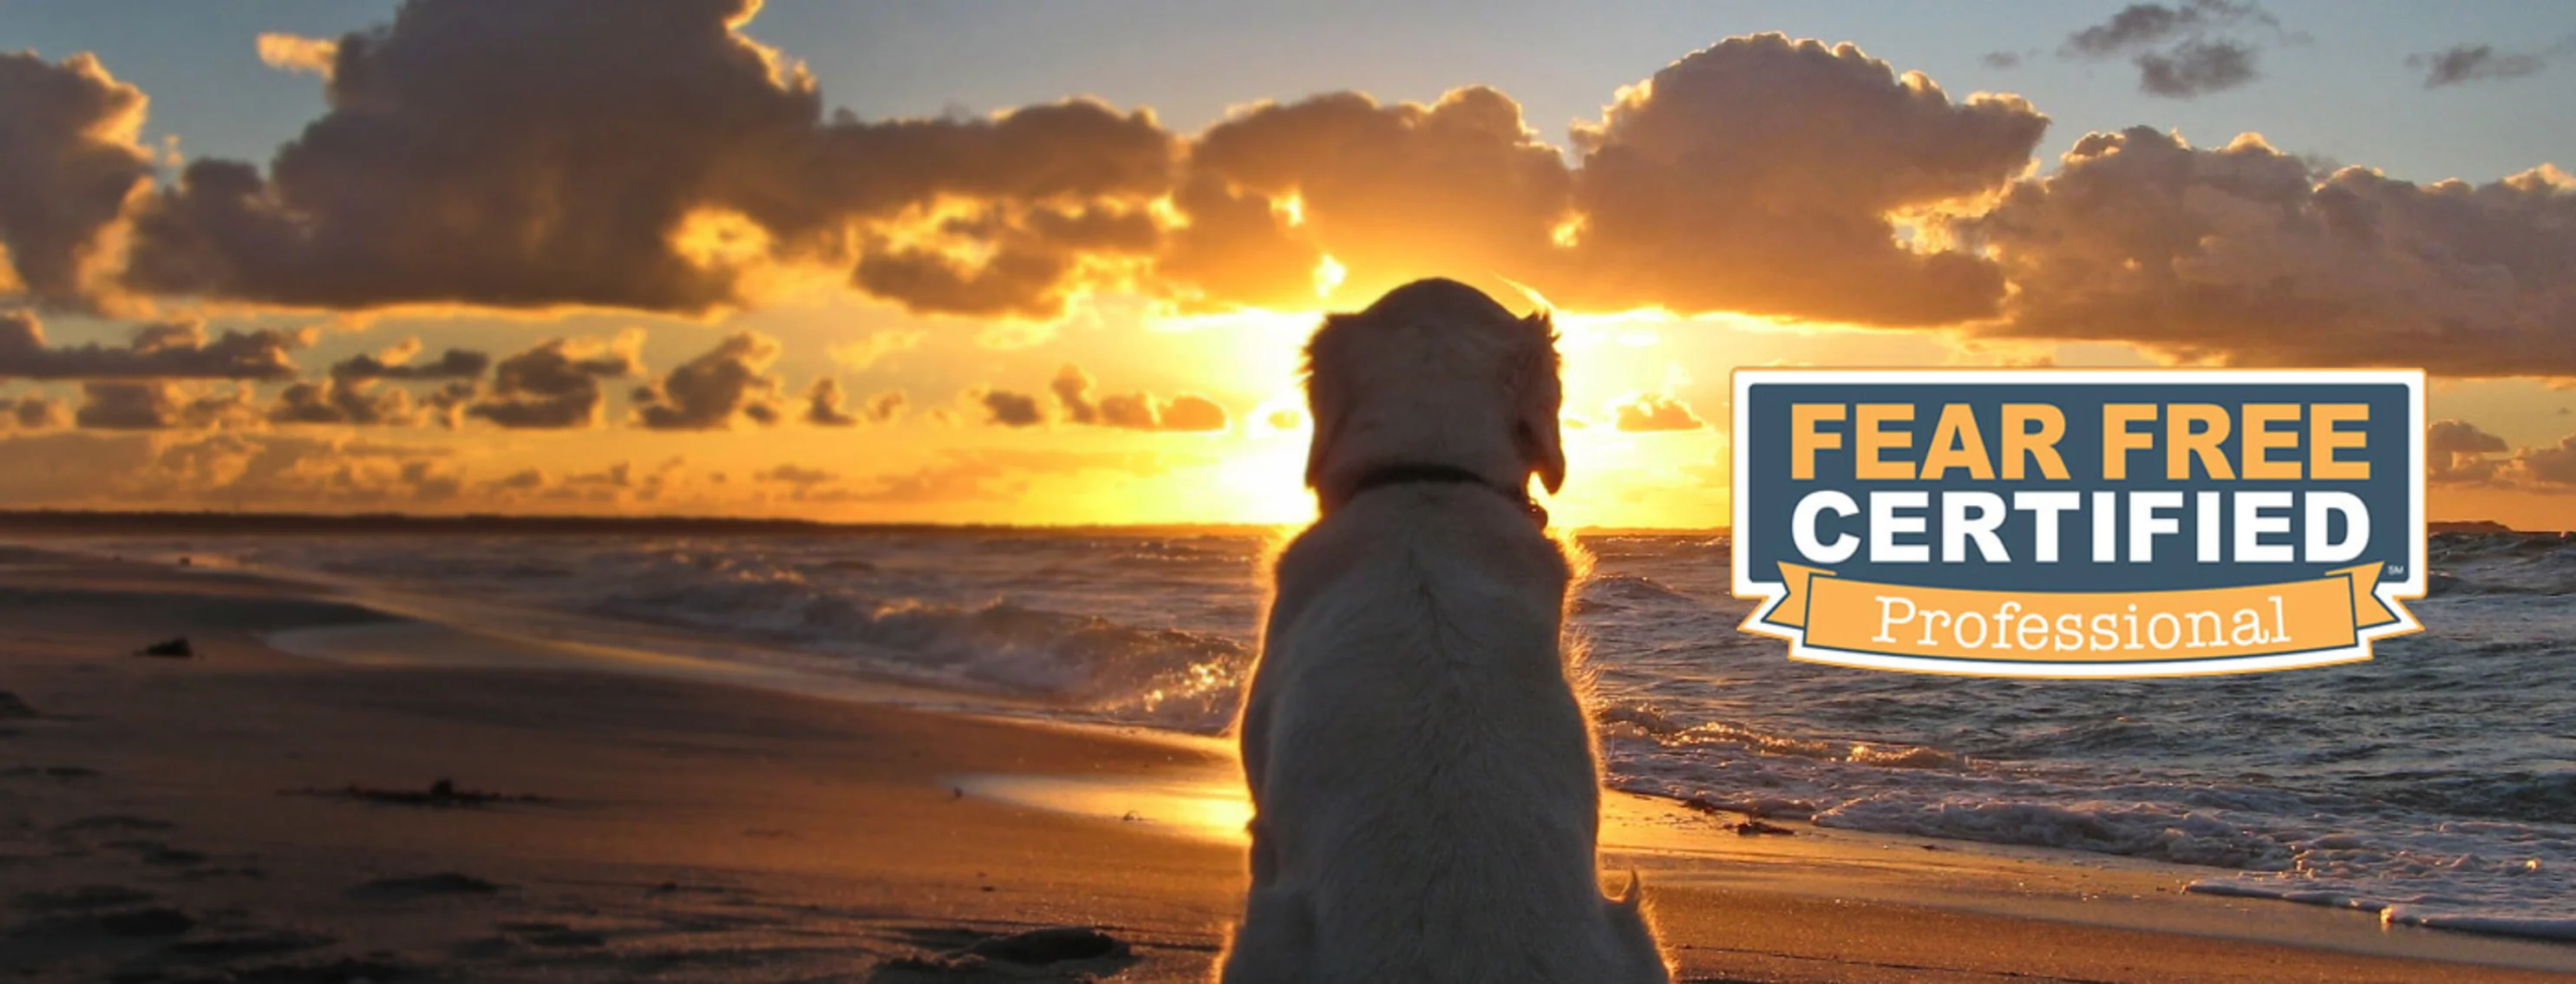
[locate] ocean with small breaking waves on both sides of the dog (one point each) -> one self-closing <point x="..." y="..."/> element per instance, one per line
<point x="2433" y="784"/>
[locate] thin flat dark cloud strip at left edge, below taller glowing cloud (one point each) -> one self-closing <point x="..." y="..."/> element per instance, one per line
<point x="158" y="352"/>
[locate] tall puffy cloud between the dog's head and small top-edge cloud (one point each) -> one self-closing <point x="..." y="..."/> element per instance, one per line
<point x="1758" y="176"/>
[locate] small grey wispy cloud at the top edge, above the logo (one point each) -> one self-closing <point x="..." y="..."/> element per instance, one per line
<point x="2181" y="50"/>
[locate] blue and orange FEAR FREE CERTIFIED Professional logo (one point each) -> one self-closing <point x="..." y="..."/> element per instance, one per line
<point x="2080" y="524"/>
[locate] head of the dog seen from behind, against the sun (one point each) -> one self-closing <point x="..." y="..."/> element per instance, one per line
<point x="1434" y="375"/>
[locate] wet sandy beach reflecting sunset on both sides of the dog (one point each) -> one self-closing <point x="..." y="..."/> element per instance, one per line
<point x="261" y="815"/>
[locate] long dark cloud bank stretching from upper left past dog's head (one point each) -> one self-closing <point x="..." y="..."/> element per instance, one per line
<point x="498" y="158"/>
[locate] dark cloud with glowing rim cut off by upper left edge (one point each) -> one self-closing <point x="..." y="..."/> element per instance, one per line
<point x="68" y="164"/>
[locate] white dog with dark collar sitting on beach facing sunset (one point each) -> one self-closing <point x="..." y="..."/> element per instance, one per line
<point x="1423" y="774"/>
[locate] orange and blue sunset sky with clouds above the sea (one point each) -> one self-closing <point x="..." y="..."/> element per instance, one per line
<point x="1055" y="264"/>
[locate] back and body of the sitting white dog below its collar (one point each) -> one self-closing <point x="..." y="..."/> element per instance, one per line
<point x="1421" y="766"/>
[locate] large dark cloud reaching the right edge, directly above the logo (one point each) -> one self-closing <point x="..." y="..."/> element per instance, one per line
<point x="2245" y="256"/>
